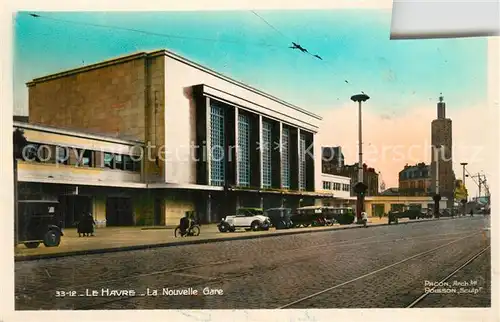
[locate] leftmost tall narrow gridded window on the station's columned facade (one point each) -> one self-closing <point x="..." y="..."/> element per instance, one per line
<point x="217" y="146"/>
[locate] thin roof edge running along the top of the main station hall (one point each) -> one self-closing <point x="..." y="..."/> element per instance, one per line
<point x="170" y="54"/>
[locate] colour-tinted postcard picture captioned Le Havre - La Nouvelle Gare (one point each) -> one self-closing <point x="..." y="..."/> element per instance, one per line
<point x="249" y="160"/>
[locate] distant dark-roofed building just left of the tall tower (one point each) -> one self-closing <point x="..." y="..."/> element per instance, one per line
<point x="415" y="180"/>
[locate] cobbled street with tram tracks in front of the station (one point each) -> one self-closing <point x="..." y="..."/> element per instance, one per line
<point x="385" y="266"/>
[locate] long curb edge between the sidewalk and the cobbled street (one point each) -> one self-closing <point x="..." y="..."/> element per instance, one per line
<point x="22" y="258"/>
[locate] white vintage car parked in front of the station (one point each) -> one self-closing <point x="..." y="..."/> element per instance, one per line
<point x="247" y="218"/>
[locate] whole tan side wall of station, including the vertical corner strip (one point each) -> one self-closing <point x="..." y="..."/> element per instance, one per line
<point x="124" y="99"/>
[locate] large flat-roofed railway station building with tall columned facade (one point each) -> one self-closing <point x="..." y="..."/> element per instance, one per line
<point x="141" y="139"/>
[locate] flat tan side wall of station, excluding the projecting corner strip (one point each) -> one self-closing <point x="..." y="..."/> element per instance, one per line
<point x="108" y="100"/>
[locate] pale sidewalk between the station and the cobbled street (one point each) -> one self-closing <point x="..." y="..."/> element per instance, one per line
<point x="112" y="239"/>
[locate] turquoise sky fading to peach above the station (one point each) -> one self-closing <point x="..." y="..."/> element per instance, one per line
<point x="404" y="78"/>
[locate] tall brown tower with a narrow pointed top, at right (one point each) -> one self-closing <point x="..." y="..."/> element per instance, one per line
<point x="441" y="132"/>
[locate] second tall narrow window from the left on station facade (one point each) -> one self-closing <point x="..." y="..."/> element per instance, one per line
<point x="243" y="150"/>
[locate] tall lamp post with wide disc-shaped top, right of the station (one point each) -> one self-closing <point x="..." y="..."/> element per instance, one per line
<point x="360" y="187"/>
